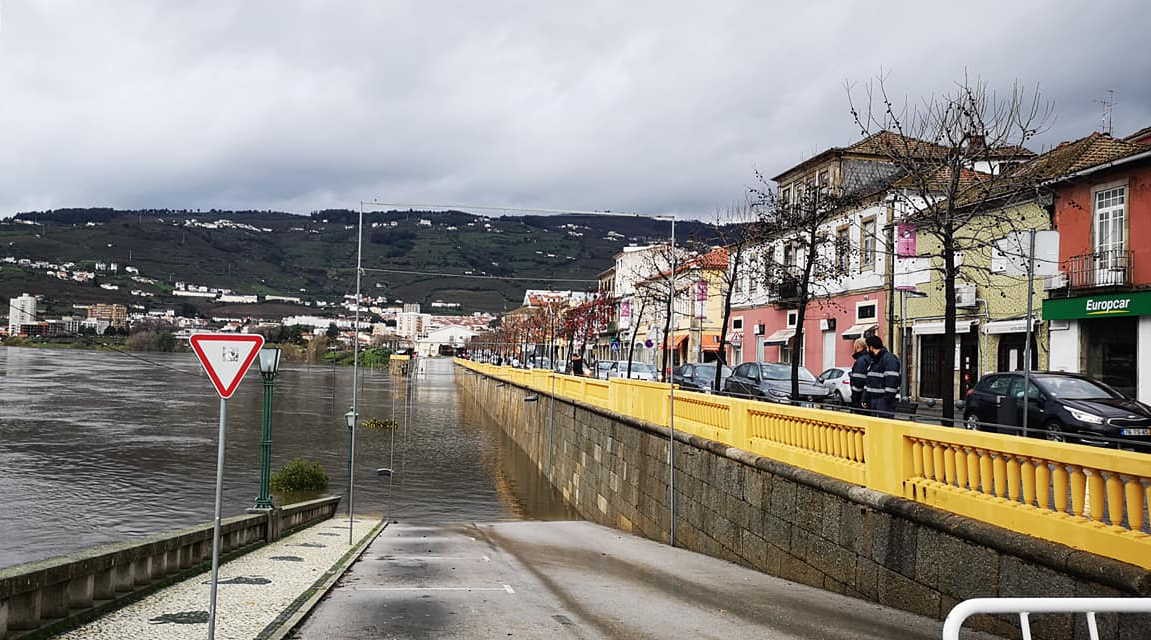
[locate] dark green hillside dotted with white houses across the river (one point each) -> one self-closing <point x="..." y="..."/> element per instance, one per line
<point x="315" y="257"/>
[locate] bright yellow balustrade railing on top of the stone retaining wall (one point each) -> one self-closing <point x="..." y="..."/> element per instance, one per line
<point x="1091" y="499"/>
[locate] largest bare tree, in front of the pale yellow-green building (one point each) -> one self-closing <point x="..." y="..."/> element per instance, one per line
<point x="956" y="187"/>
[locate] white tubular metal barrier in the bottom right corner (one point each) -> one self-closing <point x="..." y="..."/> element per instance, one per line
<point x="1024" y="607"/>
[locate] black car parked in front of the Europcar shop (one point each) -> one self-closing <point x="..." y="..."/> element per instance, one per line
<point x="1062" y="407"/>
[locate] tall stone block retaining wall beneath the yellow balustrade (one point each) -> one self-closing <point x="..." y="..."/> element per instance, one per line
<point x="796" y="524"/>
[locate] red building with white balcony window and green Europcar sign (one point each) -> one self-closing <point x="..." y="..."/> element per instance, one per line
<point x="1100" y="307"/>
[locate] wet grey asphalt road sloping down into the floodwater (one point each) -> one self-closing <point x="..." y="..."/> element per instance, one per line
<point x="578" y="581"/>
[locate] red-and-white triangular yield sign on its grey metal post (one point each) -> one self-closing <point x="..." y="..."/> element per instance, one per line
<point x="226" y="360"/>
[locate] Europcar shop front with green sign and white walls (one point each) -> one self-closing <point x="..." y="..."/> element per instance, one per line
<point x="1103" y="337"/>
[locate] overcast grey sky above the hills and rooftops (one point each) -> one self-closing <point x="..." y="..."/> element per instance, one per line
<point x="664" y="106"/>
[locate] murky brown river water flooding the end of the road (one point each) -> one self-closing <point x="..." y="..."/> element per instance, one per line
<point x="103" y="447"/>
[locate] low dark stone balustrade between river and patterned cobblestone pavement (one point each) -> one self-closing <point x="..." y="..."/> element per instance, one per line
<point x="42" y="598"/>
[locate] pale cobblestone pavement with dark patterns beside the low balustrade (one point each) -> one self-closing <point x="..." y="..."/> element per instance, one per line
<point x="255" y="590"/>
